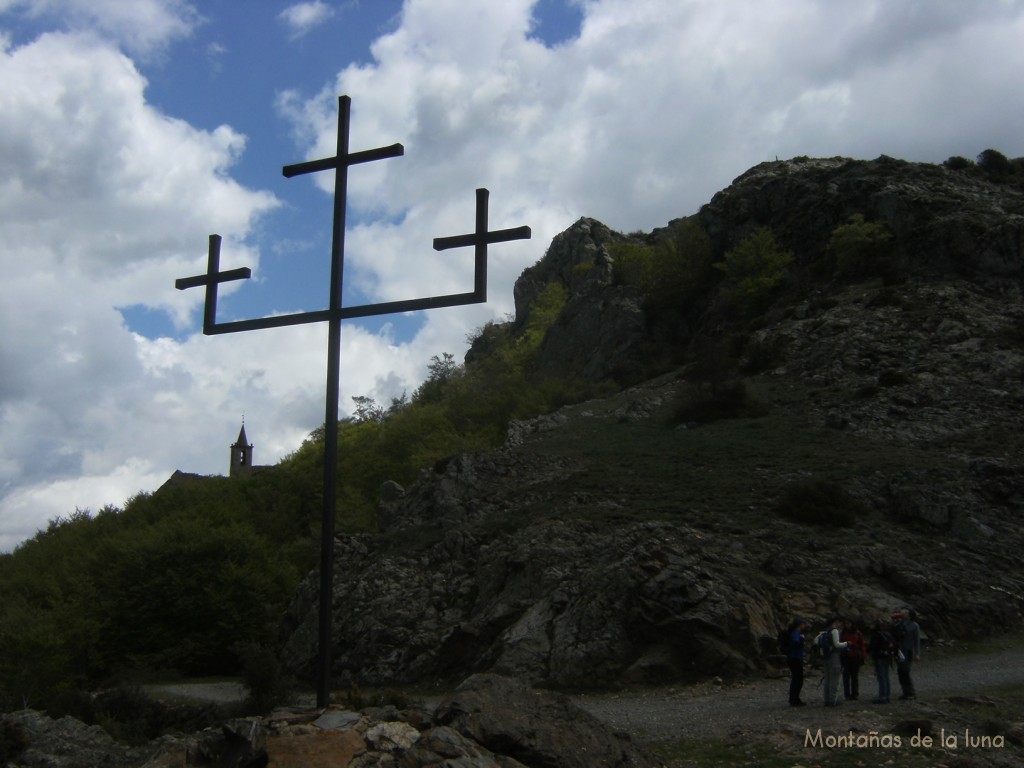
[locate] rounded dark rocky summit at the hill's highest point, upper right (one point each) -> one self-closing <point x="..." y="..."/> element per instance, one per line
<point x="946" y="223"/>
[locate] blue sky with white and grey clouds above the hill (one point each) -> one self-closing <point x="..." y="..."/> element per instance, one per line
<point x="132" y="132"/>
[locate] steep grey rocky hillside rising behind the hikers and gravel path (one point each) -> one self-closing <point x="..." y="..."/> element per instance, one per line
<point x="855" y="446"/>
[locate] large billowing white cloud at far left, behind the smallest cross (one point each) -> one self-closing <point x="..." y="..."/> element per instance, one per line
<point x="104" y="203"/>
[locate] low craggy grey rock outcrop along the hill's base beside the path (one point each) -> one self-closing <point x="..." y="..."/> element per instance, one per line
<point x="564" y="604"/>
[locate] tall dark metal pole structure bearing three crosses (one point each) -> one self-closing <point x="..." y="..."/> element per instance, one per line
<point x="481" y="238"/>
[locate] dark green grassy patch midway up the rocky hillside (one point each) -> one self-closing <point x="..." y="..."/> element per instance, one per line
<point x="726" y="475"/>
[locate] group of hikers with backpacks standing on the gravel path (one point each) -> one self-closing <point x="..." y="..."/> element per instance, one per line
<point x="843" y="649"/>
